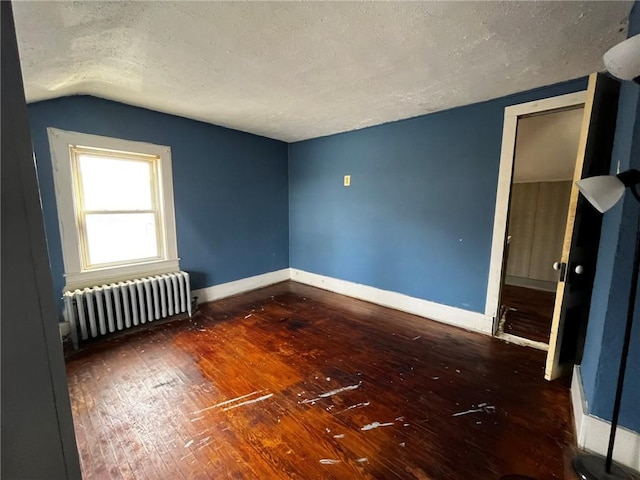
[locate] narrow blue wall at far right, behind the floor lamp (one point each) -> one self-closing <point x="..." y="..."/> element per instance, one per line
<point x="611" y="289"/>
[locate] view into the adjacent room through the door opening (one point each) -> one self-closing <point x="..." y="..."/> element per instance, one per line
<point x="543" y="166"/>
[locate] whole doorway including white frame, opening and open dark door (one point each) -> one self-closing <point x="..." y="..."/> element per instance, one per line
<point x="539" y="125"/>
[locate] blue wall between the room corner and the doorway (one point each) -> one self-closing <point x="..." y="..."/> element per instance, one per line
<point x="418" y="217"/>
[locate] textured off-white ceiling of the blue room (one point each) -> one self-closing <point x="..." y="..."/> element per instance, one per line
<point x="294" y="71"/>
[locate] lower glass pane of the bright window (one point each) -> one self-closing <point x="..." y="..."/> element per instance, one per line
<point x="119" y="237"/>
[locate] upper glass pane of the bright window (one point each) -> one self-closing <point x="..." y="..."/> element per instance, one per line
<point x="114" y="183"/>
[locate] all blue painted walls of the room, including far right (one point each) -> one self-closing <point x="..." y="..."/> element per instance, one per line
<point x="417" y="219"/>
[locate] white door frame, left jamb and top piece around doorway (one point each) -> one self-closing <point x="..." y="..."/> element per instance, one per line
<point x="507" y="156"/>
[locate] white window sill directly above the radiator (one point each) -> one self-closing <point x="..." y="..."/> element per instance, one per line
<point x="92" y="278"/>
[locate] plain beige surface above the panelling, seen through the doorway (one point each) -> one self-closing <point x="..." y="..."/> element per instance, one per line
<point x="547" y="145"/>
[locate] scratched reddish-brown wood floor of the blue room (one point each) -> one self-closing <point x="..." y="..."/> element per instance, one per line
<point x="295" y="382"/>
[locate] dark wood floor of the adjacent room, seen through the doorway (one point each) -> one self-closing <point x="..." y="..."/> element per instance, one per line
<point x="529" y="312"/>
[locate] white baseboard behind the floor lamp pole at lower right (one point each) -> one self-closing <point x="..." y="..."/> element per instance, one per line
<point x="592" y="433"/>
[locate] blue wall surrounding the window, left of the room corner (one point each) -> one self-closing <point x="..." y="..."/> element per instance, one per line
<point x="230" y="187"/>
